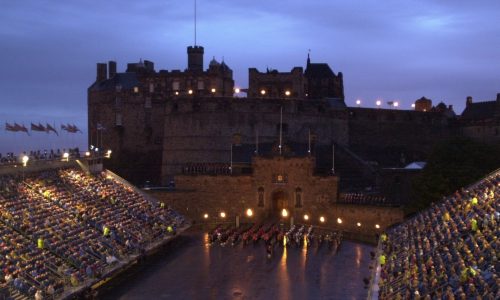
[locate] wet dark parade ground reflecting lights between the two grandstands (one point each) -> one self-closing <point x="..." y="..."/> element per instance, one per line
<point x="191" y="268"/>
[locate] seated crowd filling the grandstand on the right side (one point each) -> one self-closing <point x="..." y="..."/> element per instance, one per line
<point x="449" y="251"/>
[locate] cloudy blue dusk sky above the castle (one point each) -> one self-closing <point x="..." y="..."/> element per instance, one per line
<point x="390" y="50"/>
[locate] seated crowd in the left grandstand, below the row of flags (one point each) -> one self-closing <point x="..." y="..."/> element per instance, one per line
<point x="60" y="229"/>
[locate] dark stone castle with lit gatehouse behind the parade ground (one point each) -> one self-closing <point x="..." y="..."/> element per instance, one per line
<point x="166" y="125"/>
